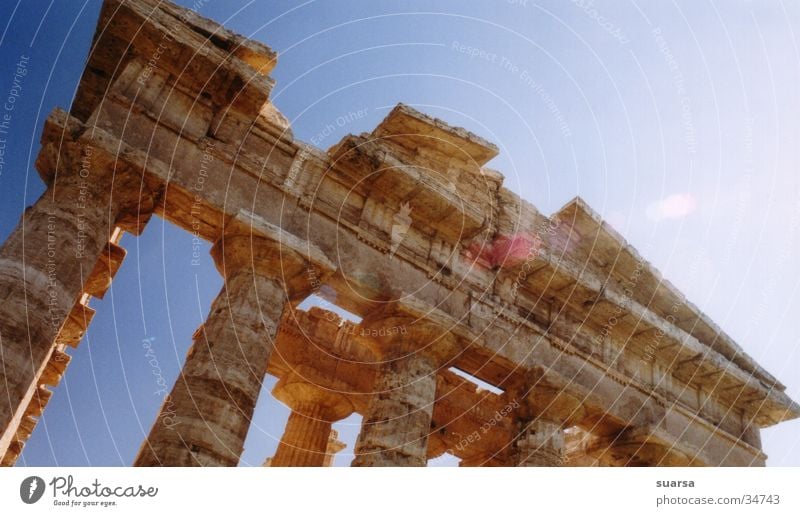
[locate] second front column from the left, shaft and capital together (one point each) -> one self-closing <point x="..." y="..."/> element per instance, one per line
<point x="205" y="419"/>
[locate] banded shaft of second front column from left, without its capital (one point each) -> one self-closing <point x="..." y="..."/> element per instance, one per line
<point x="205" y="419"/>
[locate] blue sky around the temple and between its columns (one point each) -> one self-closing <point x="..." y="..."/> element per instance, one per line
<point x="678" y="121"/>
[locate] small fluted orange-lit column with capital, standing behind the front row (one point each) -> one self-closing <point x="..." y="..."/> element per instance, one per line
<point x="314" y="410"/>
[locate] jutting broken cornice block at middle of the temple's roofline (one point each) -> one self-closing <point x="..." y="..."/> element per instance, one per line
<point x="419" y="164"/>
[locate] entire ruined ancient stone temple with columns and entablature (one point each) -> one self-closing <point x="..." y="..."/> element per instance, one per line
<point x="596" y="359"/>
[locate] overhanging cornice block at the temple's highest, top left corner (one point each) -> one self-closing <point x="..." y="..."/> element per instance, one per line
<point x="203" y="56"/>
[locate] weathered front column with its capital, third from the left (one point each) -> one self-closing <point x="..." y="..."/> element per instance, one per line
<point x="397" y="423"/>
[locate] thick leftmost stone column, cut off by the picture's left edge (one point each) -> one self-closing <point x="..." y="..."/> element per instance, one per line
<point x="44" y="265"/>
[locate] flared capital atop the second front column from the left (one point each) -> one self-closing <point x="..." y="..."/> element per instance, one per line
<point x="250" y="242"/>
